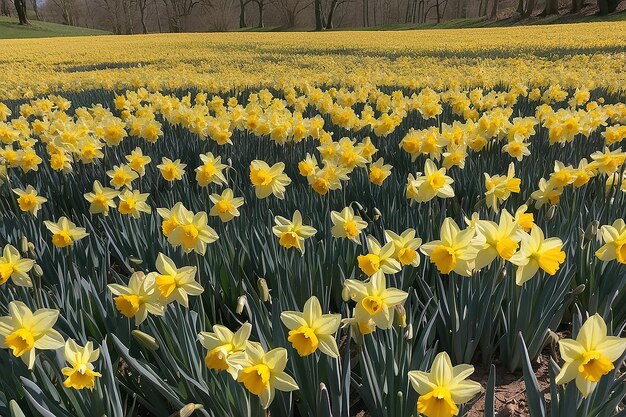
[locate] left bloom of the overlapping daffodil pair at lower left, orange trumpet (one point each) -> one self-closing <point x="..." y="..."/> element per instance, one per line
<point x="139" y="298"/>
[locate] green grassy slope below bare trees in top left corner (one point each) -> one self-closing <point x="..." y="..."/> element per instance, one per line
<point x="9" y="29"/>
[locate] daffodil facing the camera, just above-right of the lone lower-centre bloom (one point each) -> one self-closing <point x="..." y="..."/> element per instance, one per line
<point x="374" y="300"/>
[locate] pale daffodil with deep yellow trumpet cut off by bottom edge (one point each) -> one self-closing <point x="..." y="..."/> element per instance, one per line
<point x="444" y="388"/>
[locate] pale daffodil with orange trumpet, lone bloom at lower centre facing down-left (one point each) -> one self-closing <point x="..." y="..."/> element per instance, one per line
<point x="310" y="330"/>
